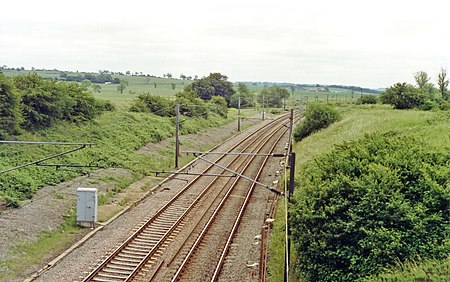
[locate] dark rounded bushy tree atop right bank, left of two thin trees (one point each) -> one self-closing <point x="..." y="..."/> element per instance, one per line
<point x="403" y="96"/>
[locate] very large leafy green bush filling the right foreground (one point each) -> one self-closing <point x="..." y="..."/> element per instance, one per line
<point x="369" y="204"/>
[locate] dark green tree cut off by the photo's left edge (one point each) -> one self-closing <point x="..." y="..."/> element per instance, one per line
<point x="10" y="114"/>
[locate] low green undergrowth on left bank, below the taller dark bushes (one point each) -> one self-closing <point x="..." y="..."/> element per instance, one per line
<point x="117" y="136"/>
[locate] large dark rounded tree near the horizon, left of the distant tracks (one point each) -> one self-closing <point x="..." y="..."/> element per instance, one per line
<point x="215" y="84"/>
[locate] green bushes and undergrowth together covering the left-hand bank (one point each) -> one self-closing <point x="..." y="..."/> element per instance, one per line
<point x="34" y="109"/>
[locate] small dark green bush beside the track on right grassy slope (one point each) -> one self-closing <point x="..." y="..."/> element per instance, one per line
<point x="317" y="116"/>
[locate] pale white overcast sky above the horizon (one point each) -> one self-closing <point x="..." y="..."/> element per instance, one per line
<point x="370" y="44"/>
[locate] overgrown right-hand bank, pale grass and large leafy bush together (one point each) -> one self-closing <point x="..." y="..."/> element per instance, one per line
<point x="410" y="223"/>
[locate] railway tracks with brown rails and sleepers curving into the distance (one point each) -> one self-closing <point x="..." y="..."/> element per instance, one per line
<point x="152" y="253"/>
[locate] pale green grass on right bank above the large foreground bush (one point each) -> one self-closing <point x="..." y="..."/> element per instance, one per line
<point x="432" y="127"/>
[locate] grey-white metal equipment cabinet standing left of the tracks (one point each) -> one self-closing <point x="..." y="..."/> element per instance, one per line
<point x="87" y="201"/>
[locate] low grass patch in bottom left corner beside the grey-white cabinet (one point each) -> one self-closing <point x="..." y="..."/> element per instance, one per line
<point x="34" y="253"/>
